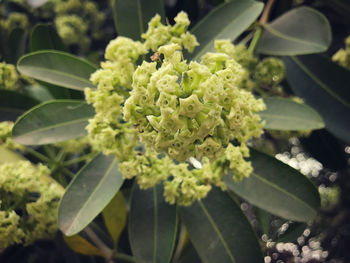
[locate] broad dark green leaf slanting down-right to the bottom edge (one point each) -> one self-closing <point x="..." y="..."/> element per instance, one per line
<point x="219" y="230"/>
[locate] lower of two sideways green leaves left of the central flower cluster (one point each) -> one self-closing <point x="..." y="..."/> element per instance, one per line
<point x="53" y="121"/>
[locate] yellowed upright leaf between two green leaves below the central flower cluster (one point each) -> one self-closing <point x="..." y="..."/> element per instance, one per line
<point x="114" y="216"/>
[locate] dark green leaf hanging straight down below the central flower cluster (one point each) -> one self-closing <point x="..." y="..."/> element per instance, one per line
<point x="152" y="226"/>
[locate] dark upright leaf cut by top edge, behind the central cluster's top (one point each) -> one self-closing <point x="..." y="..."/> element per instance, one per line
<point x="131" y="17"/>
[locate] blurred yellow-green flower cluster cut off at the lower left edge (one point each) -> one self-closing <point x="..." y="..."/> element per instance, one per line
<point x="28" y="203"/>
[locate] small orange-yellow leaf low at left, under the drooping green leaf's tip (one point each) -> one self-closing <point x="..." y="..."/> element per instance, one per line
<point x="82" y="246"/>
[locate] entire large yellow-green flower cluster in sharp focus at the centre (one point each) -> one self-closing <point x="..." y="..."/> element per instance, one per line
<point x="176" y="109"/>
